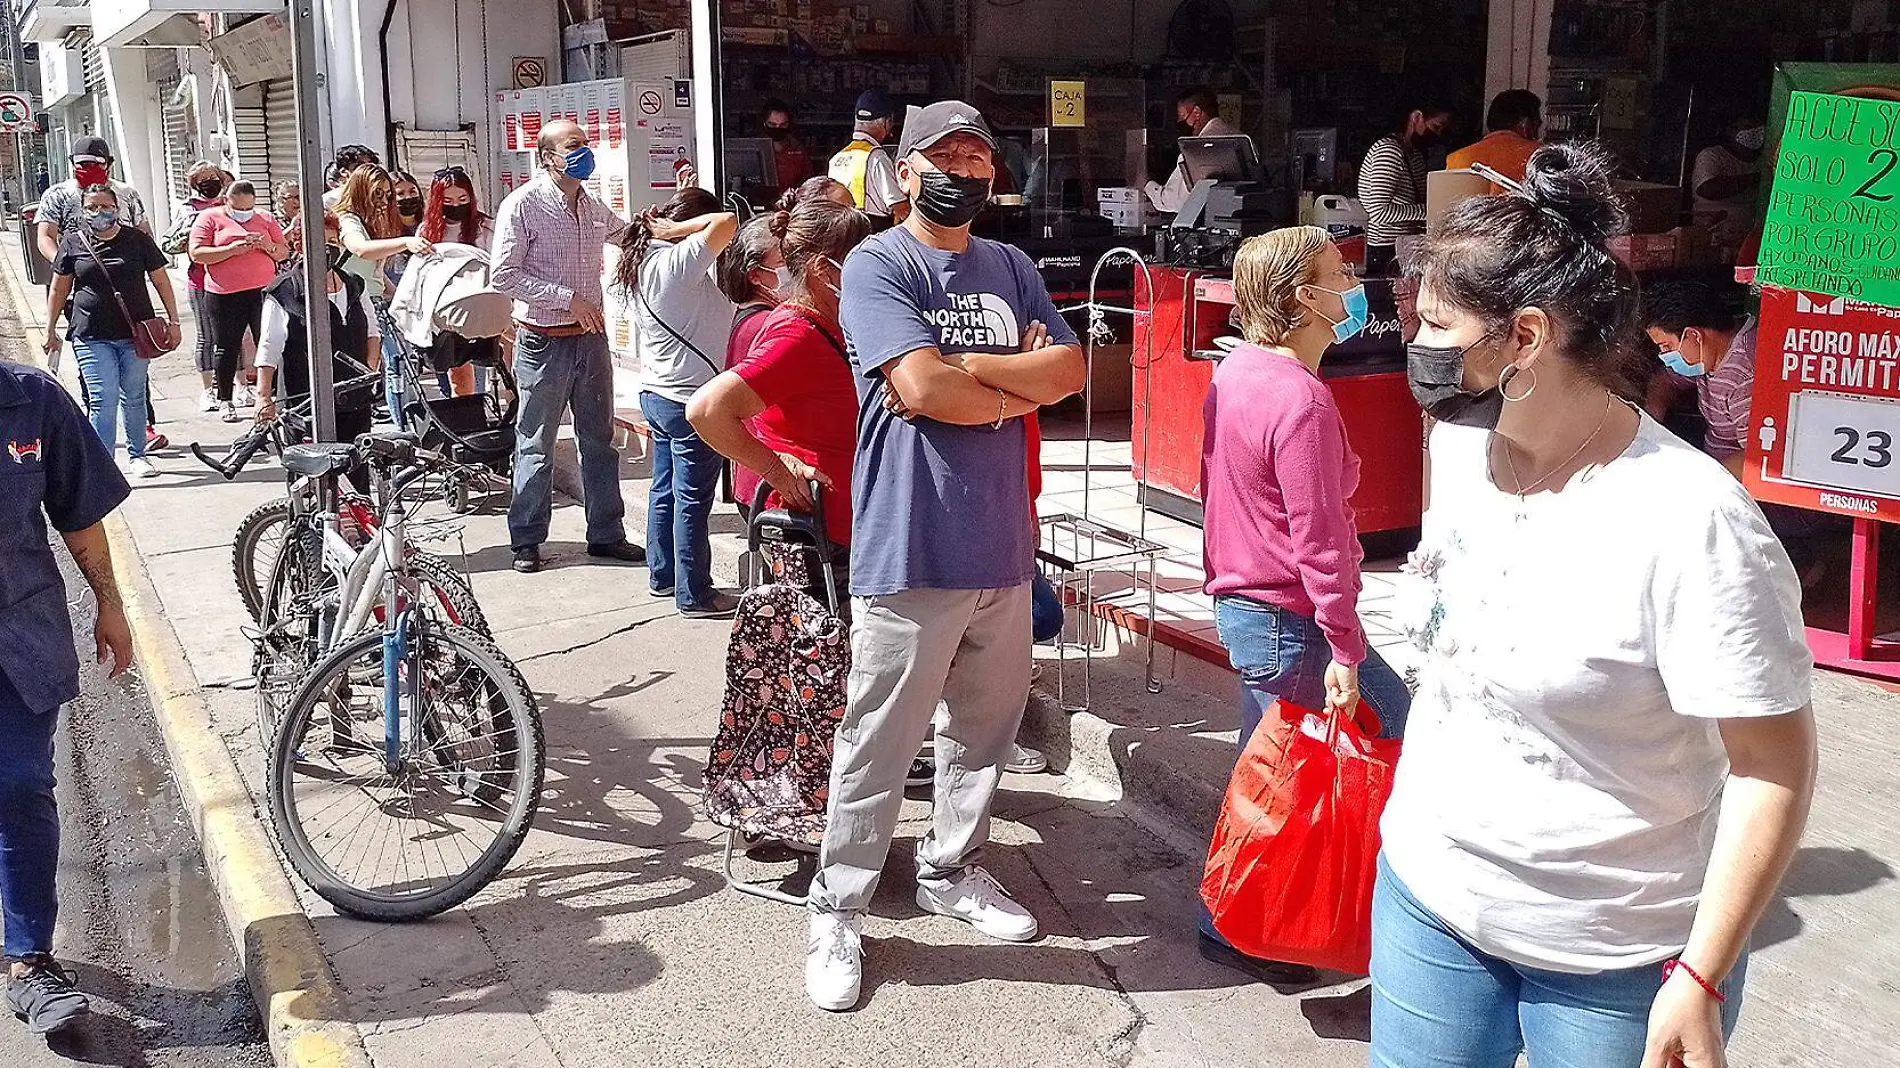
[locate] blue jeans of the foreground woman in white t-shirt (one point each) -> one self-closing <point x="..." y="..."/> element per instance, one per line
<point x="1439" y="1002"/>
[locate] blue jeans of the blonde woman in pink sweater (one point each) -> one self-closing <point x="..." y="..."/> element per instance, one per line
<point x="1285" y="655"/>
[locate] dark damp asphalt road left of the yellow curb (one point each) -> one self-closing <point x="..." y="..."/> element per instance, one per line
<point x="140" y="921"/>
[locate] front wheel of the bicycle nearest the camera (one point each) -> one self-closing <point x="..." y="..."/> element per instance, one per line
<point x="427" y="835"/>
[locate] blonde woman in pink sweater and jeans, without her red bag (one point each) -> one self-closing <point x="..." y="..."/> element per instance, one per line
<point x="1278" y="474"/>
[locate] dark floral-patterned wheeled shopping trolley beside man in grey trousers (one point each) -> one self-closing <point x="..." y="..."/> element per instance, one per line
<point x="769" y="774"/>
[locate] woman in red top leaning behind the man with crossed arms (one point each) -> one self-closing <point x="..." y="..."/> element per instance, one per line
<point x="789" y="410"/>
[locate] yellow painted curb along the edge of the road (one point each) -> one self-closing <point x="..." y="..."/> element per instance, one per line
<point x="299" y="997"/>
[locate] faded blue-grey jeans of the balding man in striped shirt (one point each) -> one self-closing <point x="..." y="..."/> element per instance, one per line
<point x="556" y="375"/>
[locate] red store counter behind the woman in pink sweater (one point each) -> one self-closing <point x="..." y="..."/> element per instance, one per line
<point x="1188" y="311"/>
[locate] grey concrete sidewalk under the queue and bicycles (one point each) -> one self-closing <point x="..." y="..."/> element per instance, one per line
<point x="611" y="940"/>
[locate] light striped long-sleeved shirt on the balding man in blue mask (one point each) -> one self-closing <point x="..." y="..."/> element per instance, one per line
<point x="546" y="256"/>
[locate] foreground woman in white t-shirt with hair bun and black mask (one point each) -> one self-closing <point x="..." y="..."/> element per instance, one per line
<point x="1612" y="752"/>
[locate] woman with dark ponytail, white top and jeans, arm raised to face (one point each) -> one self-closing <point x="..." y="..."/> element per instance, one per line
<point x="683" y="324"/>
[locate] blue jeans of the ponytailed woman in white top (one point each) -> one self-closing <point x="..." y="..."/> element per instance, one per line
<point x="679" y="506"/>
